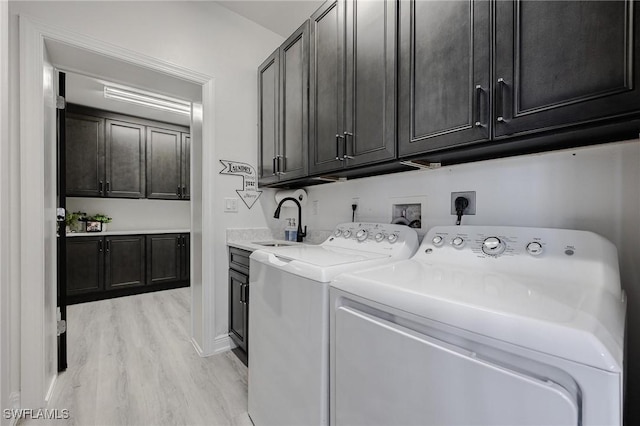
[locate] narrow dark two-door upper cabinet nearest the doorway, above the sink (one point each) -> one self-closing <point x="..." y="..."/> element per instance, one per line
<point x="283" y="81"/>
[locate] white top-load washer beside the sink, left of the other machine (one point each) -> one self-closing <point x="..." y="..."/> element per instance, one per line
<point x="289" y="318"/>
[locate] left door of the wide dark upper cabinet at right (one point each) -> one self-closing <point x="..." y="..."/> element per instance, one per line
<point x="444" y="66"/>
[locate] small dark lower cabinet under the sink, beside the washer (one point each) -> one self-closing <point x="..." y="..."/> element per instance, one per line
<point x="239" y="297"/>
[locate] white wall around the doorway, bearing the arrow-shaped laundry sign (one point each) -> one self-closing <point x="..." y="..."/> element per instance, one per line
<point x="200" y="36"/>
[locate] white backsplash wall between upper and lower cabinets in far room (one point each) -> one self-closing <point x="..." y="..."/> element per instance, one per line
<point x="141" y="214"/>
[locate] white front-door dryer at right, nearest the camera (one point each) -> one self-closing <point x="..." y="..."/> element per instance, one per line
<point x="483" y="326"/>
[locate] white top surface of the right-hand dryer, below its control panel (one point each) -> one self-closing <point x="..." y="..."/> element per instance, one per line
<point x="568" y="319"/>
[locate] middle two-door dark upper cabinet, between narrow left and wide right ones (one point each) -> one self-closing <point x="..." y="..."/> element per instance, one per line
<point x="353" y="84"/>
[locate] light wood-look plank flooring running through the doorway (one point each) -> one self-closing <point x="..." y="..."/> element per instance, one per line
<point x="131" y="362"/>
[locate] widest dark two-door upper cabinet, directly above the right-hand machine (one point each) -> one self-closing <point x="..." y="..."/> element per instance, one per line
<point x="557" y="65"/>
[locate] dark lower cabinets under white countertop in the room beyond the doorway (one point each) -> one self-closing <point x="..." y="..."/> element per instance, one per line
<point x="103" y="267"/>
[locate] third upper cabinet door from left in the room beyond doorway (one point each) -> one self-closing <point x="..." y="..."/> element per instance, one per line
<point x="164" y="164"/>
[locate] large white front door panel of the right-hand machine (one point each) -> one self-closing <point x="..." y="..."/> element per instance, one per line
<point x="386" y="374"/>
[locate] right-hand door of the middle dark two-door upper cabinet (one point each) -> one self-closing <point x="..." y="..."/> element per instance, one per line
<point x="370" y="77"/>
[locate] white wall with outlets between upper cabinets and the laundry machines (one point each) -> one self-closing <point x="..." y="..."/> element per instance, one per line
<point x="594" y="188"/>
